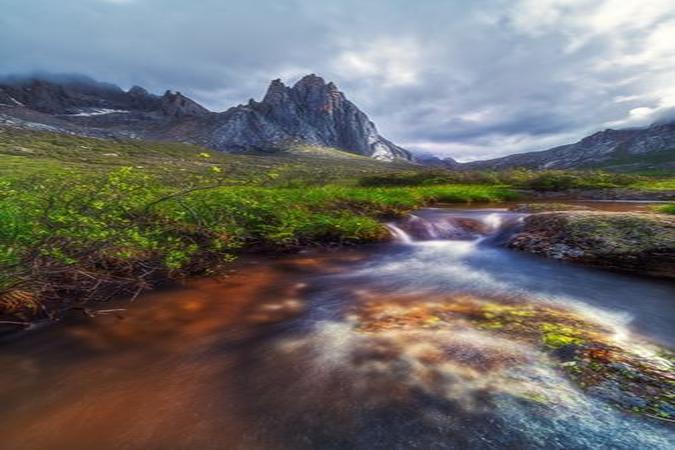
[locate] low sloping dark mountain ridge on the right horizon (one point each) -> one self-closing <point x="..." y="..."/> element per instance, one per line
<point x="627" y="149"/>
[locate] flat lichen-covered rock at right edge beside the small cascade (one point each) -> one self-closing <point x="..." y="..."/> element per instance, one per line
<point x="633" y="242"/>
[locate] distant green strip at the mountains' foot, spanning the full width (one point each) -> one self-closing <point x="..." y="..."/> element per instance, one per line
<point x="25" y="153"/>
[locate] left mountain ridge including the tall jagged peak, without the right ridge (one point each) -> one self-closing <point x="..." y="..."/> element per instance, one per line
<point x="311" y="112"/>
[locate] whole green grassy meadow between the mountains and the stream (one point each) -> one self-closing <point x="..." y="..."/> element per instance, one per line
<point x="85" y="219"/>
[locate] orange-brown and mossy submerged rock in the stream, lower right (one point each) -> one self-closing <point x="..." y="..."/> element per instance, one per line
<point x="629" y="374"/>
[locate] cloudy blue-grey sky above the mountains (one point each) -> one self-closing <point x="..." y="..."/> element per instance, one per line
<point x="470" y="79"/>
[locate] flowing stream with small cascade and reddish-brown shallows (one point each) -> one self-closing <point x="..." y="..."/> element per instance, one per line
<point x="358" y="349"/>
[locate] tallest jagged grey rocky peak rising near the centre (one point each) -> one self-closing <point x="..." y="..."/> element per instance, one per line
<point x="312" y="112"/>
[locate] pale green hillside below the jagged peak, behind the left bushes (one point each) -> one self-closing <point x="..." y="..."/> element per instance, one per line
<point x="26" y="153"/>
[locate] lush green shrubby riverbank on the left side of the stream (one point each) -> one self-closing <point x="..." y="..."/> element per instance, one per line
<point x="69" y="244"/>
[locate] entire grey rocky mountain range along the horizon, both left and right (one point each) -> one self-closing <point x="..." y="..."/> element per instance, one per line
<point x="311" y="113"/>
